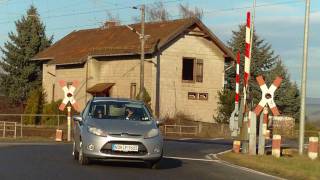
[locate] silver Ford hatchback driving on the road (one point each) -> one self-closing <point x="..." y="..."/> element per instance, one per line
<point x="117" y="129"/>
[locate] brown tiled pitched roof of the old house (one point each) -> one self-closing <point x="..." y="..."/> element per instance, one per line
<point x="120" y="40"/>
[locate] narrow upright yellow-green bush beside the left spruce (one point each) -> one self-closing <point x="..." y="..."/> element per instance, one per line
<point x="34" y="105"/>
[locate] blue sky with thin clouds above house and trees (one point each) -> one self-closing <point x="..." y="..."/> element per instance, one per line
<point x="279" y="22"/>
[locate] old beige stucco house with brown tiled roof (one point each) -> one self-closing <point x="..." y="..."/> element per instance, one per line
<point x="183" y="68"/>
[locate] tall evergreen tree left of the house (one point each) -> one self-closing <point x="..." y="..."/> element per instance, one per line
<point x="22" y="74"/>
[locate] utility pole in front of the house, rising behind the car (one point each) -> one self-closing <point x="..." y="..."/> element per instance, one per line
<point x="142" y="39"/>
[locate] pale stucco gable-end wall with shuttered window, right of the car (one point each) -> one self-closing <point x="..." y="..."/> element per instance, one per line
<point x="174" y="92"/>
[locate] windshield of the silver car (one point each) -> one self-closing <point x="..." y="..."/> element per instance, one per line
<point x="119" y="110"/>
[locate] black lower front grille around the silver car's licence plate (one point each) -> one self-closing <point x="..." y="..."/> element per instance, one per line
<point x="107" y="148"/>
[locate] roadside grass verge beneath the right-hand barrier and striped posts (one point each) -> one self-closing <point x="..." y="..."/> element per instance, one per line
<point x="295" y="167"/>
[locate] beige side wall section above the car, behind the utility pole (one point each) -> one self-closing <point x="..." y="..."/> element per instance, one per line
<point x="122" y="73"/>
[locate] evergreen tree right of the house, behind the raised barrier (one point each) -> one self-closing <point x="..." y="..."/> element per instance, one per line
<point x="263" y="62"/>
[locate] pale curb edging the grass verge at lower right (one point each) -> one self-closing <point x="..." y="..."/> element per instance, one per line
<point x="218" y="160"/>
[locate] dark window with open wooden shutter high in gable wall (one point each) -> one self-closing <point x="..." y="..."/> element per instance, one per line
<point x="192" y="70"/>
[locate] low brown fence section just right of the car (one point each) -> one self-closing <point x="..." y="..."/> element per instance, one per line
<point x="180" y="129"/>
